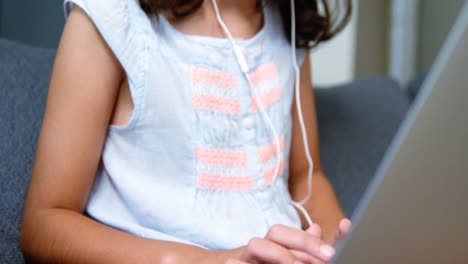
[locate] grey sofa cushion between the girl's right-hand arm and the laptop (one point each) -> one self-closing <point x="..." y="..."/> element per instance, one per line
<point x="357" y="122"/>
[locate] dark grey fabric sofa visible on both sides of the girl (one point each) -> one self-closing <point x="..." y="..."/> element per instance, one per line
<point x="357" y="121"/>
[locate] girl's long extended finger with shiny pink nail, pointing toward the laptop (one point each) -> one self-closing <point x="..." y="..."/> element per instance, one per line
<point x="296" y="239"/>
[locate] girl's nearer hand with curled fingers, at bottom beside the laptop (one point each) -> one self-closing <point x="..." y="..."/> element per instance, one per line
<point x="283" y="244"/>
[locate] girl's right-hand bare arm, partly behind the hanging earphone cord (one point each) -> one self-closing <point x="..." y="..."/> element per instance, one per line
<point x="323" y="206"/>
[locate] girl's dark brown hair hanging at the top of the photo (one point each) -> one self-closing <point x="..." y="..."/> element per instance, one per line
<point x="315" y="20"/>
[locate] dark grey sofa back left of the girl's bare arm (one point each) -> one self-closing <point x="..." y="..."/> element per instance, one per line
<point x="24" y="78"/>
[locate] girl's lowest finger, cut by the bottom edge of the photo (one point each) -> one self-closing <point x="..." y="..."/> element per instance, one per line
<point x="262" y="250"/>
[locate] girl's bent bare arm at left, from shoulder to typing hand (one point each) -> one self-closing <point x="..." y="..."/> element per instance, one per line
<point x="83" y="91"/>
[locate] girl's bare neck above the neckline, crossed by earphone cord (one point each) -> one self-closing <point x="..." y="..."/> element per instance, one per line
<point x="243" y="18"/>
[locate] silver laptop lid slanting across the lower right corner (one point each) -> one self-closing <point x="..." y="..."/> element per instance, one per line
<point x="416" y="208"/>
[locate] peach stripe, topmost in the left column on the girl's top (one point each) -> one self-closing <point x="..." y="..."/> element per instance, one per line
<point x="201" y="75"/>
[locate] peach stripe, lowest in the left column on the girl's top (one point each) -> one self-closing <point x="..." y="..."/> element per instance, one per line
<point x="224" y="182"/>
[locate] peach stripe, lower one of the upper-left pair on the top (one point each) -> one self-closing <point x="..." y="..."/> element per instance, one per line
<point x="216" y="103"/>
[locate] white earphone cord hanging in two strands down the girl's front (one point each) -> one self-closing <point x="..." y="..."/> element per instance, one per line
<point x="245" y="69"/>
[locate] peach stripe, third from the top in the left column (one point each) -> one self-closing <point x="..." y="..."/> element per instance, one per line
<point x="227" y="157"/>
